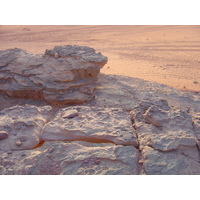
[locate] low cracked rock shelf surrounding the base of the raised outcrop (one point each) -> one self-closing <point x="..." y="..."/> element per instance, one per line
<point x="131" y="126"/>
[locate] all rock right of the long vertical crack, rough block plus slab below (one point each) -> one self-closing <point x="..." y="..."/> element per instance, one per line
<point x="167" y="138"/>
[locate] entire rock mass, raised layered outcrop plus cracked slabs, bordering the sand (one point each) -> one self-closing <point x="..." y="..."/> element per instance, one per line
<point x="130" y="126"/>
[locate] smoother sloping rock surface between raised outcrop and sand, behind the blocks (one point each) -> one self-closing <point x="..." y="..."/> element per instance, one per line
<point x="126" y="92"/>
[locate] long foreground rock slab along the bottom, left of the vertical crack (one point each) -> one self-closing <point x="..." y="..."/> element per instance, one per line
<point x="71" y="158"/>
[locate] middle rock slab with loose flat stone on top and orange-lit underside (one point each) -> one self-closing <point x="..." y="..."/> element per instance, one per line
<point x="91" y="124"/>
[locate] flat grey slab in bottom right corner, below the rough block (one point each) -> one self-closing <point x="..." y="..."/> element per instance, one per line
<point x="169" y="163"/>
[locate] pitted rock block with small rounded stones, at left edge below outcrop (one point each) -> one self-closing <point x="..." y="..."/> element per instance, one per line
<point x="20" y="126"/>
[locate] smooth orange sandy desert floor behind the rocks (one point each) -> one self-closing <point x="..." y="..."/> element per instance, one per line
<point x="164" y="54"/>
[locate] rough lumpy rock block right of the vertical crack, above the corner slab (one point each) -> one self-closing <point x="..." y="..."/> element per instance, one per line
<point x="162" y="128"/>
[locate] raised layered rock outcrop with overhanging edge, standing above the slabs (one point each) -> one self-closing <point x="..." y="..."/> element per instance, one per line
<point x="62" y="75"/>
